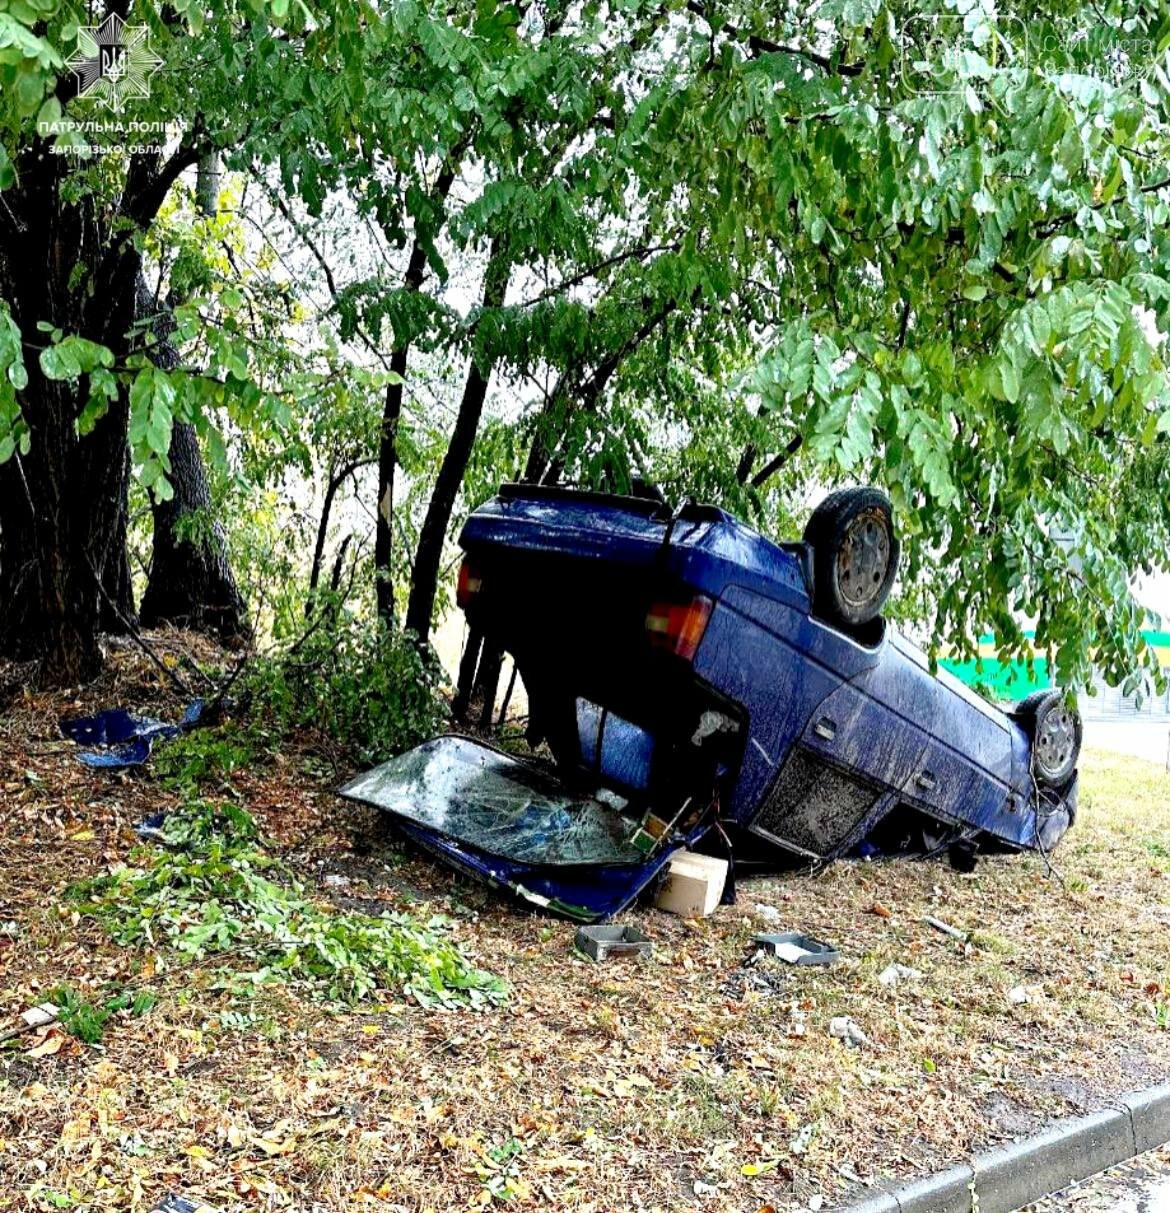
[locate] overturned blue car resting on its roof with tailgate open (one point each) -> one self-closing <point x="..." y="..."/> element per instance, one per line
<point x="698" y="686"/>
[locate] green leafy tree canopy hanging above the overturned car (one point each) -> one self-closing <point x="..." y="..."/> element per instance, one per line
<point x="926" y="247"/>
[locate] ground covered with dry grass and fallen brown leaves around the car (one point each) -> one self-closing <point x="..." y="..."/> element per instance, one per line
<point x="688" y="1081"/>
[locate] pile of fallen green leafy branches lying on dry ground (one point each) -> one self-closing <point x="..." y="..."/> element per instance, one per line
<point x="212" y="890"/>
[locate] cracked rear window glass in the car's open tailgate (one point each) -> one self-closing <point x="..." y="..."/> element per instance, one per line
<point x="498" y="805"/>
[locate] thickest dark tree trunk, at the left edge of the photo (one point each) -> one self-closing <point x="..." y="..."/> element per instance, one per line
<point x="61" y="504"/>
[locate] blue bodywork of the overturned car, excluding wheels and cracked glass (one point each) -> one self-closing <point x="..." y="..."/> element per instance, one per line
<point x="821" y="736"/>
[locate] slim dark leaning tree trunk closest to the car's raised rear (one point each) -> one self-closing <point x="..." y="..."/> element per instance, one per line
<point x="429" y="560"/>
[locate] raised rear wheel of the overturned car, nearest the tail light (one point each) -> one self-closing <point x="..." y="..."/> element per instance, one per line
<point x="855" y="555"/>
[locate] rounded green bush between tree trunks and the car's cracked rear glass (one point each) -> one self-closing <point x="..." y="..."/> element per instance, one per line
<point x="370" y="690"/>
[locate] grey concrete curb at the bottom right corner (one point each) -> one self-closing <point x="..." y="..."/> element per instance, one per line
<point x="1017" y="1175"/>
